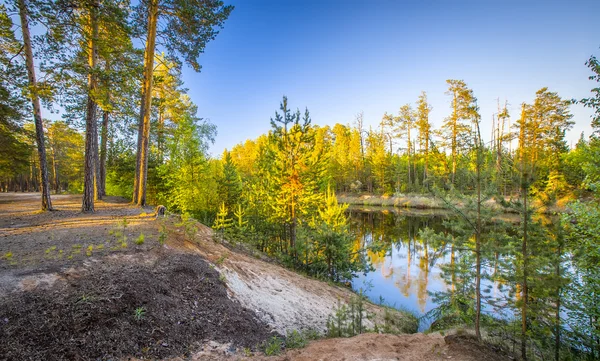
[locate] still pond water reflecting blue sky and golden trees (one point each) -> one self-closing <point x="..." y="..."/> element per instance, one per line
<point x="407" y="269"/>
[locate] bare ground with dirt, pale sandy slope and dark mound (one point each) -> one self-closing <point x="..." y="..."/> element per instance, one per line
<point x="122" y="284"/>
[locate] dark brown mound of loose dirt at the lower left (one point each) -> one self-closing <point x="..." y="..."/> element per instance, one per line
<point x="150" y="306"/>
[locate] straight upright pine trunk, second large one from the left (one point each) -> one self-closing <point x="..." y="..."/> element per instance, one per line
<point x="91" y="132"/>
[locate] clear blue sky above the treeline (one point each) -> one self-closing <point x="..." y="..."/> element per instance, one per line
<point x="341" y="57"/>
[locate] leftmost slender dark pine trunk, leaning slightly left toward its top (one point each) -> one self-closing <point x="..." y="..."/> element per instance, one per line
<point x="37" y="113"/>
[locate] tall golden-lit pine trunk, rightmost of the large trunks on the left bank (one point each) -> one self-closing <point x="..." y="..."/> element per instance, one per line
<point x="144" y="125"/>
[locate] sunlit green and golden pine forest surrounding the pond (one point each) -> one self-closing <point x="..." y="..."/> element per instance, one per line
<point x="128" y="128"/>
